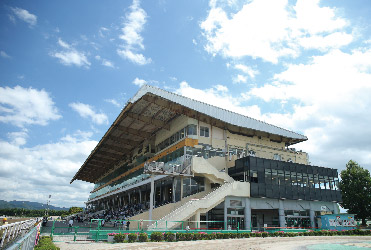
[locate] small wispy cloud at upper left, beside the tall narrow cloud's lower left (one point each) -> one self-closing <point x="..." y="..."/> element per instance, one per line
<point x="70" y="56"/>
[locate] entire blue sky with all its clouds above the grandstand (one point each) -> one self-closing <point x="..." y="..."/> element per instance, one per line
<point x="67" y="69"/>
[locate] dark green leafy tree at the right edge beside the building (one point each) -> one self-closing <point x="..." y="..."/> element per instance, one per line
<point x="355" y="186"/>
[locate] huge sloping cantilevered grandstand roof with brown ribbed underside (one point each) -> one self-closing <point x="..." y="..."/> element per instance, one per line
<point x="152" y="109"/>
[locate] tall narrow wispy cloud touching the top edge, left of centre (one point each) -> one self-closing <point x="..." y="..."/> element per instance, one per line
<point x="133" y="41"/>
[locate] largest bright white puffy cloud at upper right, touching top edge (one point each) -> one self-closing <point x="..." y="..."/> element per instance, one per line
<point x="281" y="30"/>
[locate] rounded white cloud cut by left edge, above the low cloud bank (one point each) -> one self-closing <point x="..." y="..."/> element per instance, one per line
<point x="24" y="106"/>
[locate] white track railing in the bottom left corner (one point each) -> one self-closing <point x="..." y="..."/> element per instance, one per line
<point x="11" y="231"/>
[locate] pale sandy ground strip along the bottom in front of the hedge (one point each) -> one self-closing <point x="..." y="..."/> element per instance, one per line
<point x="303" y="242"/>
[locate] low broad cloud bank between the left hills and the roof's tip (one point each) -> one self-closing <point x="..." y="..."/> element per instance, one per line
<point x="33" y="173"/>
